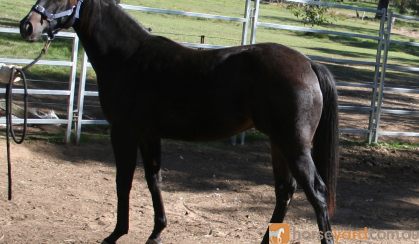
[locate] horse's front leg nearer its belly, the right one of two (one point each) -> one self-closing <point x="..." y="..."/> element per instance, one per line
<point x="150" y="150"/>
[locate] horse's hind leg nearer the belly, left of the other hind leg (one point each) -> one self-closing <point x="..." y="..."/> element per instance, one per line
<point x="285" y="186"/>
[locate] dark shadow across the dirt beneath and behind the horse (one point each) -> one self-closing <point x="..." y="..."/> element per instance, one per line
<point x="378" y="187"/>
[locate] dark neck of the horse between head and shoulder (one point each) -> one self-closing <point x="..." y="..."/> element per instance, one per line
<point x="108" y="34"/>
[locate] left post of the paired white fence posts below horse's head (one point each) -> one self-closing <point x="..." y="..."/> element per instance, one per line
<point x="72" y="87"/>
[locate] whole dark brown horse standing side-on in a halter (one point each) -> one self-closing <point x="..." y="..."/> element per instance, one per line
<point x="152" y="88"/>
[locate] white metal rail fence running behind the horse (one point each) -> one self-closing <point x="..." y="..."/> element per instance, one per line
<point x="375" y="110"/>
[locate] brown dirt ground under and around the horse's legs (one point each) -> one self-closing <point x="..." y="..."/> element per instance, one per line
<point x="214" y="193"/>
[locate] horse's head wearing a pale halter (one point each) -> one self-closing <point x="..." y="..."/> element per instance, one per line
<point x="49" y="16"/>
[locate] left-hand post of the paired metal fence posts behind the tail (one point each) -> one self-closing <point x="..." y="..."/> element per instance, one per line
<point x="372" y="119"/>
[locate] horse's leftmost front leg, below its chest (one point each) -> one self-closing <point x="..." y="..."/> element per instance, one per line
<point x="125" y="146"/>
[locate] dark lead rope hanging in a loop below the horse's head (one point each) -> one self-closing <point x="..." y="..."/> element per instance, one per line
<point x="9" y="103"/>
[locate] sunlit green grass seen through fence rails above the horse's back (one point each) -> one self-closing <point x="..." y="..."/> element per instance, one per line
<point x="222" y="33"/>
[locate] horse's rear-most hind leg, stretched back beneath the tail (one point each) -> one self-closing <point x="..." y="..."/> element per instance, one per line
<point x="305" y="172"/>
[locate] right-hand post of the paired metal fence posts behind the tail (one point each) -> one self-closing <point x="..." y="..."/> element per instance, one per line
<point x="387" y="34"/>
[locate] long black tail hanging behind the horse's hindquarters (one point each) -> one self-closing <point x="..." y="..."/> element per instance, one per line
<point x="326" y="139"/>
